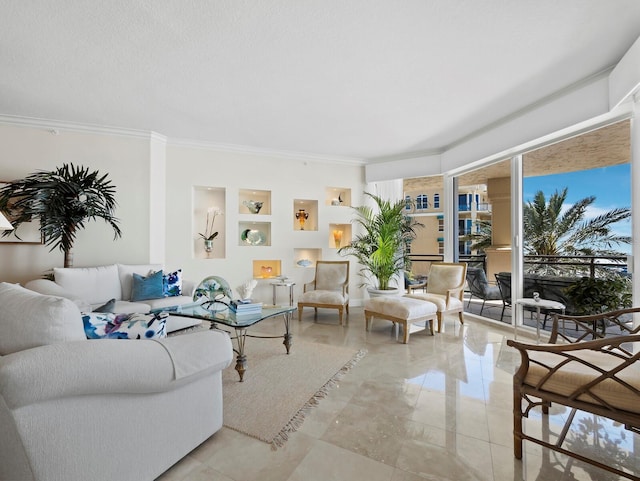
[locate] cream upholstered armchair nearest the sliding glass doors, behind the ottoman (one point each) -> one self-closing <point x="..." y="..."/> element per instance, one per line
<point x="445" y="288"/>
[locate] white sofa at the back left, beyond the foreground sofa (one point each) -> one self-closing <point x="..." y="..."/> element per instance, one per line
<point x="91" y="287"/>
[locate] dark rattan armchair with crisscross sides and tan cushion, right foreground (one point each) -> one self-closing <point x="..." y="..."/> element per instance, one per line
<point x="599" y="376"/>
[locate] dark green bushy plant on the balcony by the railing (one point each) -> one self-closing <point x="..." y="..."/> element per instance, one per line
<point x="595" y="295"/>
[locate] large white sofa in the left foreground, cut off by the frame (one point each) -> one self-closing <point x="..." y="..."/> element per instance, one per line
<point x="73" y="409"/>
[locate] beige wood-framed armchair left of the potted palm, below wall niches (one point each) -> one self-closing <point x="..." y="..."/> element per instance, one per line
<point x="329" y="289"/>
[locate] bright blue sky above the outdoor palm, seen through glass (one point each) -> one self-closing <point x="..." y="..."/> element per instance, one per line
<point x="610" y="185"/>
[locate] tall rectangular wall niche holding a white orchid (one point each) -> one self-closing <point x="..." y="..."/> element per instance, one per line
<point x="208" y="208"/>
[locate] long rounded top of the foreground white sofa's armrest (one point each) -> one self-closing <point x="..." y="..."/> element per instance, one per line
<point x="109" y="366"/>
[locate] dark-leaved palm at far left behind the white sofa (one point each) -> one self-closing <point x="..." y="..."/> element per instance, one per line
<point x="62" y="201"/>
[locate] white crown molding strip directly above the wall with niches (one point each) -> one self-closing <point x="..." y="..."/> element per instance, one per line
<point x="243" y="149"/>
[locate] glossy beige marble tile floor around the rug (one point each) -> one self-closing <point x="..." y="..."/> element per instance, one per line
<point x="438" y="408"/>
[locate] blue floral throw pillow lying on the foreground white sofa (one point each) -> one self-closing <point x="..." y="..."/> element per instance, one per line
<point x="98" y="325"/>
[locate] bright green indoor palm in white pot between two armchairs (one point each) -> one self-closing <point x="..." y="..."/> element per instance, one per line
<point x="382" y="246"/>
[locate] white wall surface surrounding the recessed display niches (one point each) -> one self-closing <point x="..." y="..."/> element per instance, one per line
<point x="287" y="179"/>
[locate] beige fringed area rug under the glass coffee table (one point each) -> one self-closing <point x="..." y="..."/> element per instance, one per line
<point x="279" y="389"/>
